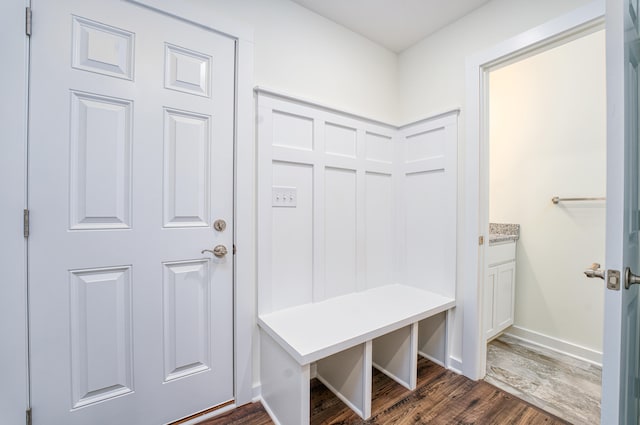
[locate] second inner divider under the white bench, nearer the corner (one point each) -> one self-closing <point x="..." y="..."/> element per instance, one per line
<point x="396" y="355"/>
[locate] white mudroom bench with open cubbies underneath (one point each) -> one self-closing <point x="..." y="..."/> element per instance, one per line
<point x="344" y="337"/>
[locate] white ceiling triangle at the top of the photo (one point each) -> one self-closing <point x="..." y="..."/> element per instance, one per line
<point x="394" y="24"/>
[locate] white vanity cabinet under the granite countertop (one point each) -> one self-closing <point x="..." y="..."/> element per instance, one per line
<point x="499" y="289"/>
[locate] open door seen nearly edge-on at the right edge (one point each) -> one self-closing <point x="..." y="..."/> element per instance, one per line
<point x="621" y="339"/>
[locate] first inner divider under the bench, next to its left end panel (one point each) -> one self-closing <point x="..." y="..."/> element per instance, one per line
<point x="348" y="375"/>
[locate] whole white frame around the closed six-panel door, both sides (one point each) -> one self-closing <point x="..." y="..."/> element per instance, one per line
<point x="14" y="187"/>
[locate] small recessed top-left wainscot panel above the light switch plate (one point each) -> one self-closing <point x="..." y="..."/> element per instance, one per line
<point x="292" y="131"/>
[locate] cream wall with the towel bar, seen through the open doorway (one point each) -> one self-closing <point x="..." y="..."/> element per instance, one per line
<point x="548" y="138"/>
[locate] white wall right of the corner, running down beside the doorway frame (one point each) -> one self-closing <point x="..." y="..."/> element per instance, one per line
<point x="431" y="79"/>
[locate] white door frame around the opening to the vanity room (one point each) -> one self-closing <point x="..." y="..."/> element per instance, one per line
<point x="577" y="23"/>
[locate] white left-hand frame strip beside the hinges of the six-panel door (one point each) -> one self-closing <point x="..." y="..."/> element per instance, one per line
<point x="14" y="387"/>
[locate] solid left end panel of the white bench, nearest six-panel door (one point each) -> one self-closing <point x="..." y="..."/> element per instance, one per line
<point x="285" y="384"/>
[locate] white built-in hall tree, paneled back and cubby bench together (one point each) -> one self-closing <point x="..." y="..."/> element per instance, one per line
<point x="374" y="221"/>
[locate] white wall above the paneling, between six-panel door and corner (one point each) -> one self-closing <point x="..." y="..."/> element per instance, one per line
<point x="303" y="54"/>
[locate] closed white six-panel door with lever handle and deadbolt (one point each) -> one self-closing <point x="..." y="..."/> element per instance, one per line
<point x="130" y="163"/>
